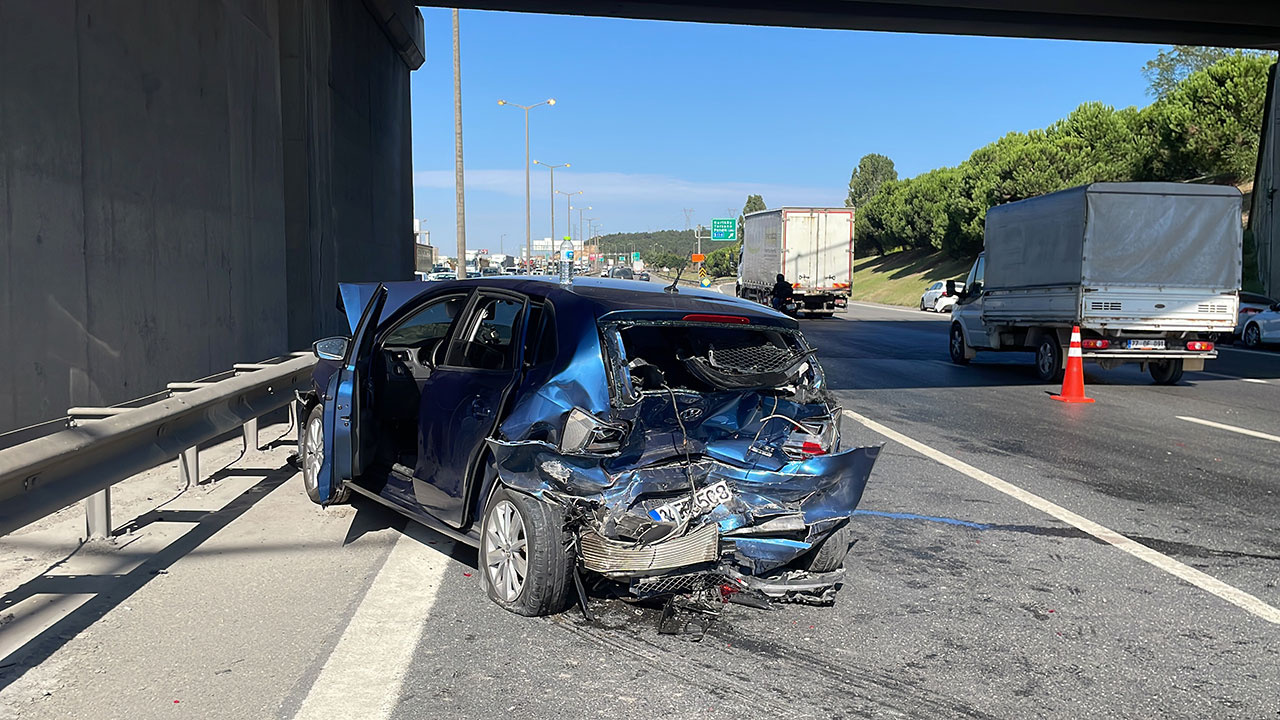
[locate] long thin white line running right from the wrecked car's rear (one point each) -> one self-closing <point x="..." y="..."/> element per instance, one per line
<point x="1160" y="560"/>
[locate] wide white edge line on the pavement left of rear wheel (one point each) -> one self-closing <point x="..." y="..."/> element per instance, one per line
<point x="364" y="675"/>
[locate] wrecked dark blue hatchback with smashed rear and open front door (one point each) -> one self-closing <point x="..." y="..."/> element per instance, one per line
<point x="597" y="434"/>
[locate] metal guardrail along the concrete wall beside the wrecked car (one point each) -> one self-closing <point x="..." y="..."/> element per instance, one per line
<point x="108" y="445"/>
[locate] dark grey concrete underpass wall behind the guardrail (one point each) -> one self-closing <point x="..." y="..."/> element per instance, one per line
<point x="152" y="224"/>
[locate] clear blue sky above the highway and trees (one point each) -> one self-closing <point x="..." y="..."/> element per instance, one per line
<point x="657" y="117"/>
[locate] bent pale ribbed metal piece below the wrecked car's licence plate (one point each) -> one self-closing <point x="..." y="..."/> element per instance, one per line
<point x="620" y="559"/>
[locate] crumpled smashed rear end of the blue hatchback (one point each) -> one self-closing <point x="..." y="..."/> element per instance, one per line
<point x="716" y="458"/>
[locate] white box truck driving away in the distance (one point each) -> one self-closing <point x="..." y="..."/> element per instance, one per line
<point x="812" y="248"/>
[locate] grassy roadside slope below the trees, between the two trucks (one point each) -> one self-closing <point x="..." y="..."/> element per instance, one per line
<point x="900" y="279"/>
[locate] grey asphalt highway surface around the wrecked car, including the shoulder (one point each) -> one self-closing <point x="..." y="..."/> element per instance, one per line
<point x="964" y="598"/>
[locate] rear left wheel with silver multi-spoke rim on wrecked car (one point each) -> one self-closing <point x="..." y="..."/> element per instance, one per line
<point x="520" y="530"/>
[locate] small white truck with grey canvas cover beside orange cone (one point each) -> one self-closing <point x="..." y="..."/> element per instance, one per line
<point x="1149" y="271"/>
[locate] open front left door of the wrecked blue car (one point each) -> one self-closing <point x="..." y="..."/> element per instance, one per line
<point x="349" y="407"/>
